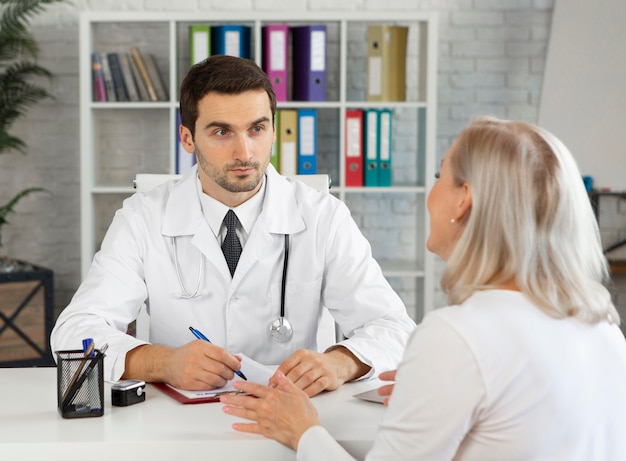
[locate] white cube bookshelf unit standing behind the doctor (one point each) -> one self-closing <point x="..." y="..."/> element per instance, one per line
<point x="120" y="139"/>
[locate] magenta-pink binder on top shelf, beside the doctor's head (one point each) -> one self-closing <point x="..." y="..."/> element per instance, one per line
<point x="275" y="62"/>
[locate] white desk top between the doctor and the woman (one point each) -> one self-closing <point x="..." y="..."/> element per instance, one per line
<point x="160" y="428"/>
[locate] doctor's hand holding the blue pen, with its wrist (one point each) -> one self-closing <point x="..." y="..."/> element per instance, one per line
<point x="197" y="365"/>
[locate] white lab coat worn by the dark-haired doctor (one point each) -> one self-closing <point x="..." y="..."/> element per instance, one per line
<point x="330" y="264"/>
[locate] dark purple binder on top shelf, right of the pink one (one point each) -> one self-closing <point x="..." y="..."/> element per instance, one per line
<point x="309" y="63"/>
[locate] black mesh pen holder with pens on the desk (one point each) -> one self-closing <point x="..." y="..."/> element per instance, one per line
<point x="80" y="384"/>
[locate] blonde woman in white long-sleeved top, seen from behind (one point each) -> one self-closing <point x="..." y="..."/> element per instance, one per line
<point x="527" y="362"/>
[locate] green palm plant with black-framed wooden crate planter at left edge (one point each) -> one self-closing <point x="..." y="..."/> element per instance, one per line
<point x="25" y="290"/>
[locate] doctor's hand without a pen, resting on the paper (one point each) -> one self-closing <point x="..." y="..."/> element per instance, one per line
<point x="314" y="372"/>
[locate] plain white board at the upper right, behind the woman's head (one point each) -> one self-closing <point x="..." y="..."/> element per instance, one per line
<point x="584" y="99"/>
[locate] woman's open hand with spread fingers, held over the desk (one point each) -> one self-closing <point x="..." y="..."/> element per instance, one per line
<point x="282" y="412"/>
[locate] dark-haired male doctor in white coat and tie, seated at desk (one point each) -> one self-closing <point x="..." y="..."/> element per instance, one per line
<point x="299" y="251"/>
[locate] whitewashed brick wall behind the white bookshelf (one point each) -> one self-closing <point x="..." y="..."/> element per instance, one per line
<point x="491" y="60"/>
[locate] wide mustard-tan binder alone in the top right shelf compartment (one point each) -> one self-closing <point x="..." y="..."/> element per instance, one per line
<point x="386" y="62"/>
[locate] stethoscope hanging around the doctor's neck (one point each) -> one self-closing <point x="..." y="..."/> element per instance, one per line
<point x="280" y="329"/>
